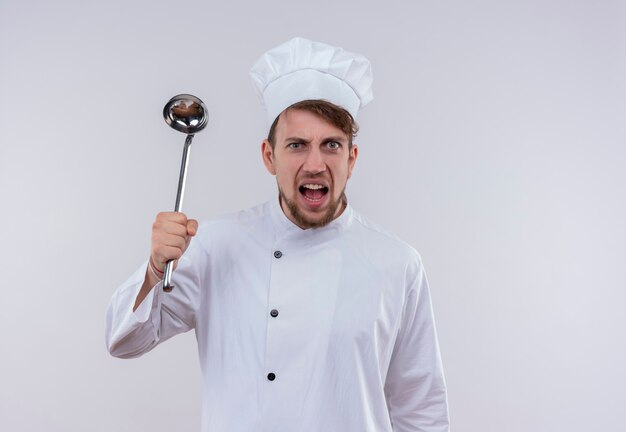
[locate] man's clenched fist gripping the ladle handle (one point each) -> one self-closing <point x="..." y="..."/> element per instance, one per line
<point x="171" y="234"/>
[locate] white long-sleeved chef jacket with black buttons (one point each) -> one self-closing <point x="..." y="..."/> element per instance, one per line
<point x="320" y="330"/>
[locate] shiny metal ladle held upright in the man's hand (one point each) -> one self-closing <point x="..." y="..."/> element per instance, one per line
<point x="187" y="114"/>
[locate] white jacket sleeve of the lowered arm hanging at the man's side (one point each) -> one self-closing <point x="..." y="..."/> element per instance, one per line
<point x="415" y="386"/>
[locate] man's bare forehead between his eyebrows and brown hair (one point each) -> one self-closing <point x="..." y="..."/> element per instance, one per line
<point x="305" y="124"/>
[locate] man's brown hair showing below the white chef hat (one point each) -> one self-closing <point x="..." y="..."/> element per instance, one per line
<point x="333" y="114"/>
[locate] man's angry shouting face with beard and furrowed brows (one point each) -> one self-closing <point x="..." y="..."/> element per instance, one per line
<point x="312" y="164"/>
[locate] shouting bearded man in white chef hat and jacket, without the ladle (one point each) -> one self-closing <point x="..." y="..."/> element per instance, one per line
<point x="308" y="317"/>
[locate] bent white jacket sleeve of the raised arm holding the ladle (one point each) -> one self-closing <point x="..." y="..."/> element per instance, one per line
<point x="161" y="315"/>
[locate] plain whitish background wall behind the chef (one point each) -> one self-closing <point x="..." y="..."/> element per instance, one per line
<point x="495" y="145"/>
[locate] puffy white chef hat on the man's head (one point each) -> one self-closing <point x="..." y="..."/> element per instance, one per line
<point x="301" y="69"/>
